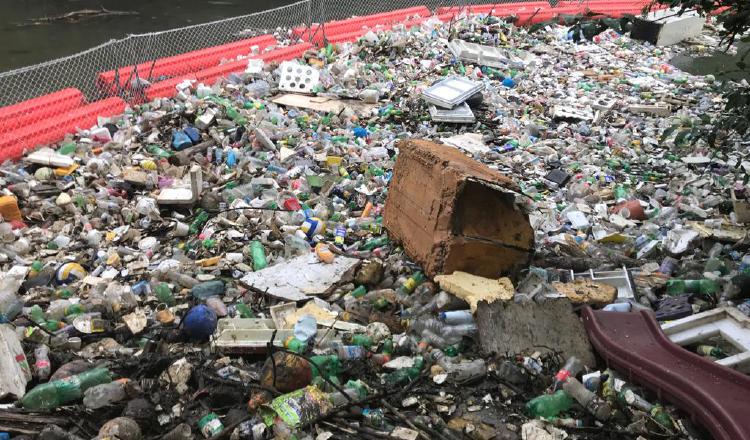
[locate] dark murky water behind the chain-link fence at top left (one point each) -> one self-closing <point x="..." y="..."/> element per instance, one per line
<point x="25" y="43"/>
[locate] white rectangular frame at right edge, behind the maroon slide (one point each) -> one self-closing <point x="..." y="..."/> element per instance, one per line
<point x="727" y="322"/>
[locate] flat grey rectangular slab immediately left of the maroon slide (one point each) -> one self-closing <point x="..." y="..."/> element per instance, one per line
<point x="512" y="328"/>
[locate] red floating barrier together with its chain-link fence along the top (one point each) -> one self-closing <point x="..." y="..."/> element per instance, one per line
<point x="70" y="92"/>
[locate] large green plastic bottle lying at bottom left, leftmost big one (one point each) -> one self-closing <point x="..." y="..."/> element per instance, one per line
<point x="51" y="395"/>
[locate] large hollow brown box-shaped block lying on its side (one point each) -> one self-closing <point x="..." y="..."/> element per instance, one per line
<point x="454" y="214"/>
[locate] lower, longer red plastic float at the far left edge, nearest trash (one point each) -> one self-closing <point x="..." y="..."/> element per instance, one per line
<point x="14" y="143"/>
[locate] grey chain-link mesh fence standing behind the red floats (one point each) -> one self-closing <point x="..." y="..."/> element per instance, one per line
<point x="80" y="70"/>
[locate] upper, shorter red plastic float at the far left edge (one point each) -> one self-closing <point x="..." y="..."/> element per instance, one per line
<point x="37" y="109"/>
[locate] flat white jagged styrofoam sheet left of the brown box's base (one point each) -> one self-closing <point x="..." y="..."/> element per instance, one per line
<point x="296" y="279"/>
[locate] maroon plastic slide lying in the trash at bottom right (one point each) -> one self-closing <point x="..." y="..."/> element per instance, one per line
<point x="633" y="344"/>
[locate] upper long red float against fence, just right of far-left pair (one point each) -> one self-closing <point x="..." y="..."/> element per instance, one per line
<point x="181" y="64"/>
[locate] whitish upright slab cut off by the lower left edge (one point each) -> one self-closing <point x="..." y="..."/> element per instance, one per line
<point x="14" y="368"/>
